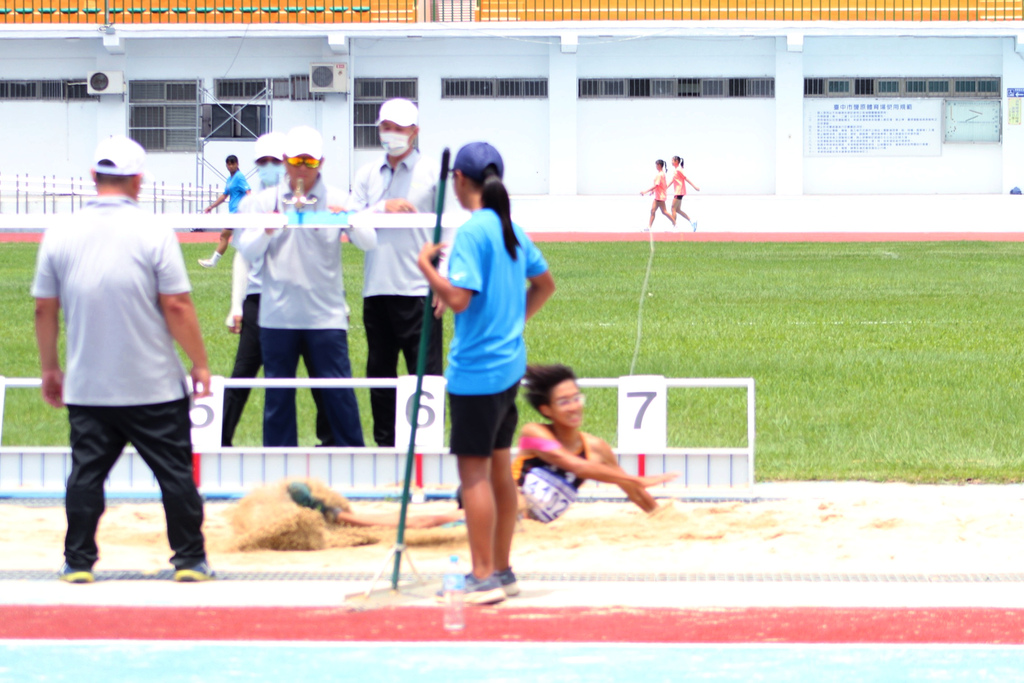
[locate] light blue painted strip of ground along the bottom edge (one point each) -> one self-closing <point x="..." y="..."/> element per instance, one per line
<point x="112" y="662"/>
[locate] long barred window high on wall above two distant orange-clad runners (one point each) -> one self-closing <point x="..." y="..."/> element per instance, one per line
<point x="675" y="88"/>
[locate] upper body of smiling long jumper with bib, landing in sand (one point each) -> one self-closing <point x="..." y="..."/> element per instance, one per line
<point x="556" y="458"/>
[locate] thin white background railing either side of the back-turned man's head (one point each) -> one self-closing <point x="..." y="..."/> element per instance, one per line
<point x="50" y="195"/>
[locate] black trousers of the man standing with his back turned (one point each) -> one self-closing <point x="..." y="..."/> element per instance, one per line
<point x="161" y="434"/>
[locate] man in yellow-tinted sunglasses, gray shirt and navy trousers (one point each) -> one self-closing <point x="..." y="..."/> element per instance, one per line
<point x="303" y="308"/>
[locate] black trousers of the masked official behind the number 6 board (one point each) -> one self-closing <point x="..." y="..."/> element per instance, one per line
<point x="394" y="325"/>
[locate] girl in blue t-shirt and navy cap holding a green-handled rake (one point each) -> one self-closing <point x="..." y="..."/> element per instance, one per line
<point x="490" y="261"/>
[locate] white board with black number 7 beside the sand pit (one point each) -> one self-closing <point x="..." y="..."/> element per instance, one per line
<point x="643" y="413"/>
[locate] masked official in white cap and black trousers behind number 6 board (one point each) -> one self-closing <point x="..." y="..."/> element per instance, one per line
<point x="394" y="287"/>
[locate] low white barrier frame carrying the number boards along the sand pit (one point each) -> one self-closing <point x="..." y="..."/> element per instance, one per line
<point x="237" y="469"/>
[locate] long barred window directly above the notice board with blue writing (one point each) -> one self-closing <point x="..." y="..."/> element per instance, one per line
<point x="912" y="88"/>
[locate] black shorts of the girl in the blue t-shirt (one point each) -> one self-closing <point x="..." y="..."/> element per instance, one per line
<point x="485" y="423"/>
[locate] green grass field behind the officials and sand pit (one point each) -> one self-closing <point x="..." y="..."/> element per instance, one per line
<point x="879" y="362"/>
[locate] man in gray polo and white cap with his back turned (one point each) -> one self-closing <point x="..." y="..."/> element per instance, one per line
<point x="125" y="294"/>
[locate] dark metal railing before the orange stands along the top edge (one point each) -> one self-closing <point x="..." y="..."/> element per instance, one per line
<point x="401" y="12"/>
